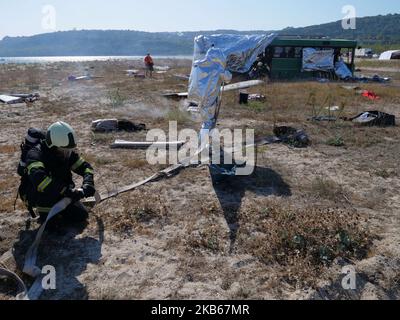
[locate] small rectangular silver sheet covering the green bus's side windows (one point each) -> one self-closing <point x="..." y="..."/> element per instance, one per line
<point x="318" y="60"/>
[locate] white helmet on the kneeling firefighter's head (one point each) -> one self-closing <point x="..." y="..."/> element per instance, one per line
<point x="61" y="135"/>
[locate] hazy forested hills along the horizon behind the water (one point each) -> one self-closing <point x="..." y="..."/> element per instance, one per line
<point x="383" y="31"/>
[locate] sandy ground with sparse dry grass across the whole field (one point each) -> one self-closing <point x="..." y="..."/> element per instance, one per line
<point x="189" y="238"/>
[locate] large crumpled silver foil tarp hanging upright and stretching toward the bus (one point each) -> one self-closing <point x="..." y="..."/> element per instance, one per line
<point x="215" y="57"/>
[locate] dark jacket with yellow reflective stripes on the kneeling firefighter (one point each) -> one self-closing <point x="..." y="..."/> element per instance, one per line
<point x="50" y="175"/>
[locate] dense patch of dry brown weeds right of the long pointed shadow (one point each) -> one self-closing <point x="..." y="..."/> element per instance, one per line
<point x="304" y="241"/>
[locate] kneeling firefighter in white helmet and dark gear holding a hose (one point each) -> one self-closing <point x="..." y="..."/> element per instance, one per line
<point x="49" y="167"/>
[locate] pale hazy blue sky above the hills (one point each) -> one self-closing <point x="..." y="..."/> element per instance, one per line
<point x="26" y="17"/>
